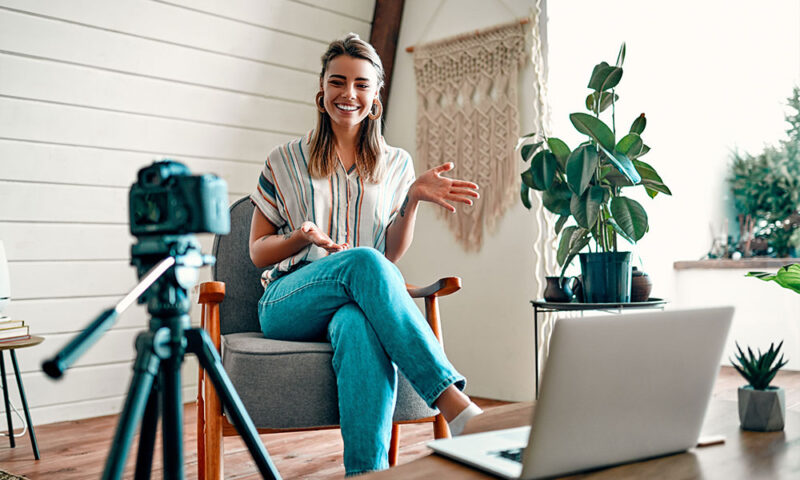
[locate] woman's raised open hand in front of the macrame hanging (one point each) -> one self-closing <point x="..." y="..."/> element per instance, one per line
<point x="431" y="186"/>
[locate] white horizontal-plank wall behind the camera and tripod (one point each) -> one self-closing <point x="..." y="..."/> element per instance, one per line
<point x="91" y="91"/>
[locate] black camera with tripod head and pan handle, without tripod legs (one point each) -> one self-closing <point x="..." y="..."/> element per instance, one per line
<point x="167" y="205"/>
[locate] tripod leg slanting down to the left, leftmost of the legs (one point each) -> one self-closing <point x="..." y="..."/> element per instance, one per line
<point x="144" y="371"/>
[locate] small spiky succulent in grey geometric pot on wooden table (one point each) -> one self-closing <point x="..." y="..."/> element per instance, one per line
<point x="761" y="407"/>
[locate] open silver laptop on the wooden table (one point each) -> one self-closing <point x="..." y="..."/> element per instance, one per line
<point x="616" y="389"/>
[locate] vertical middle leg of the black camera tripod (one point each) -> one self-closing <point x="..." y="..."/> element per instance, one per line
<point x="172" y="420"/>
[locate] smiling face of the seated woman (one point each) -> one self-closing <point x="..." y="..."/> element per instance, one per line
<point x="349" y="88"/>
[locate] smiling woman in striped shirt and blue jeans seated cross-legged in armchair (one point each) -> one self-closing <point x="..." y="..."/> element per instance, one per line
<point x="340" y="187"/>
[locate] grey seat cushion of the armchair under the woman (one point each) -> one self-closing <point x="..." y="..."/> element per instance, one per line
<point x="292" y="384"/>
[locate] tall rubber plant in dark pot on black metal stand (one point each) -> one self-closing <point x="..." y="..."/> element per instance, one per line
<point x="585" y="185"/>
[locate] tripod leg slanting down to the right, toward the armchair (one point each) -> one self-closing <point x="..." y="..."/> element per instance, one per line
<point x="200" y="344"/>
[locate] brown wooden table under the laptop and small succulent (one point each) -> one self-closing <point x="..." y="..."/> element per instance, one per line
<point x="745" y="455"/>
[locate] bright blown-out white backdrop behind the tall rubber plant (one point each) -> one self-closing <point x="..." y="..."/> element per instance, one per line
<point x="710" y="76"/>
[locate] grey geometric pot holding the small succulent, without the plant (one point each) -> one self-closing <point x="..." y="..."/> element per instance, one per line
<point x="762" y="410"/>
